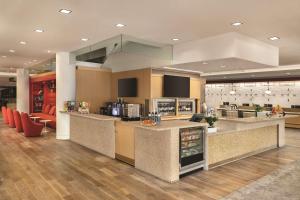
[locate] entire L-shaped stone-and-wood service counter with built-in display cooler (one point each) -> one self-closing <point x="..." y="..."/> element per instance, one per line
<point x="176" y="147"/>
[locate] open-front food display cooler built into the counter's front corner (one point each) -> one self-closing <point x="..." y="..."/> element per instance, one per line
<point x="191" y="151"/>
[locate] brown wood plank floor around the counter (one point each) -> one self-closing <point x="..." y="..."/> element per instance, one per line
<point x="45" y="168"/>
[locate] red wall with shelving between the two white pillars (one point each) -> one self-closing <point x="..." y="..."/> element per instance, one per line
<point x="42" y="91"/>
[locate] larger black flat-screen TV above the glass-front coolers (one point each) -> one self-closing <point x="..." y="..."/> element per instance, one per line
<point x="176" y="86"/>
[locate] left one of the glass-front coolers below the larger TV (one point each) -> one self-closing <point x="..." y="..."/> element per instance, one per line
<point x="165" y="107"/>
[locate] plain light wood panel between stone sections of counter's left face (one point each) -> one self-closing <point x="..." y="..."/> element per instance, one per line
<point x="125" y="141"/>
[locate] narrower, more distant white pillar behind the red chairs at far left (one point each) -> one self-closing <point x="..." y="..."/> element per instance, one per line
<point x="23" y="90"/>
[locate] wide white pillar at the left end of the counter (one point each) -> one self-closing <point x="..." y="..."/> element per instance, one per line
<point x="65" y="91"/>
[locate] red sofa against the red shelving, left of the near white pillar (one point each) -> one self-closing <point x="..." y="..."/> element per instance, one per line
<point x="48" y="112"/>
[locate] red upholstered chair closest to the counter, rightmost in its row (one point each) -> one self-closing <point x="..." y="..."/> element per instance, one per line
<point x="31" y="129"/>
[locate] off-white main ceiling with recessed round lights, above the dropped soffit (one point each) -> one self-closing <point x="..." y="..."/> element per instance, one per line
<point x="155" y="20"/>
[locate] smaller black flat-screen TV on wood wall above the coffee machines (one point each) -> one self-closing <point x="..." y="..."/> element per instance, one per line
<point x="127" y="87"/>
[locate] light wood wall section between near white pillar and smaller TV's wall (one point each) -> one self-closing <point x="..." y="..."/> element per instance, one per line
<point x="93" y="85"/>
